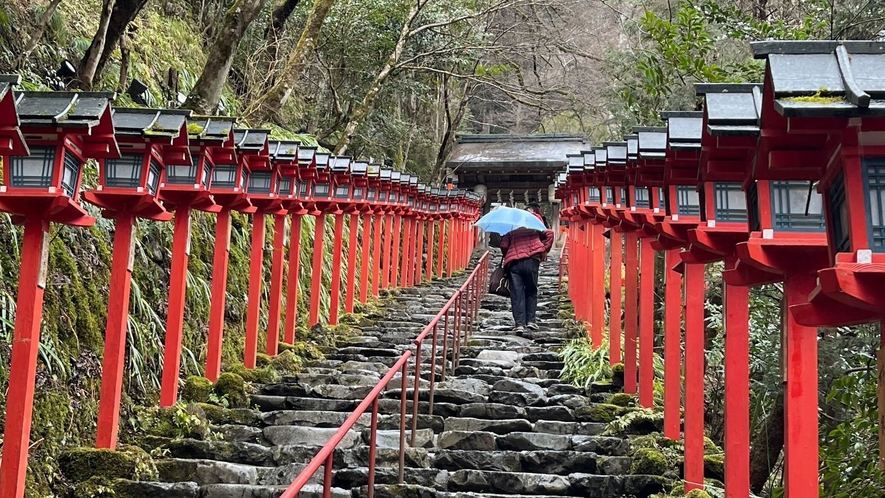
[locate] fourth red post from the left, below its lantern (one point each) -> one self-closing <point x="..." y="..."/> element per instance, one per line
<point x="219" y="294"/>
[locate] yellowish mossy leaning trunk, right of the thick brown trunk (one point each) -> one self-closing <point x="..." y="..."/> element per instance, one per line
<point x="267" y="106"/>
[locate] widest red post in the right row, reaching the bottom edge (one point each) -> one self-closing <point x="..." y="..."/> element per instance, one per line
<point x="800" y="398"/>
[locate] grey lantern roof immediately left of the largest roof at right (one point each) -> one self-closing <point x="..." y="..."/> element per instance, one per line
<point x="732" y="109"/>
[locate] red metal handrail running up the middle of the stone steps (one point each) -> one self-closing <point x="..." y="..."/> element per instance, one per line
<point x="464" y="303"/>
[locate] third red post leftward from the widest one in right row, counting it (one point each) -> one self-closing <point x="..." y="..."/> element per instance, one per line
<point x="694" y="377"/>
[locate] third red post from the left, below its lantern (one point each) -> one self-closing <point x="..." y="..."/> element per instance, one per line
<point x="175" y="317"/>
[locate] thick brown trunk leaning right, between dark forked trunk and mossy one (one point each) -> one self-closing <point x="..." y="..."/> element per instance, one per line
<point x="205" y="95"/>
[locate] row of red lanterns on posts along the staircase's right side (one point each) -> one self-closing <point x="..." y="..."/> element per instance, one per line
<point x="783" y="182"/>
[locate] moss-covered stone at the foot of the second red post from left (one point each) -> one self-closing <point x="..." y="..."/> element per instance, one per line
<point x="127" y="462"/>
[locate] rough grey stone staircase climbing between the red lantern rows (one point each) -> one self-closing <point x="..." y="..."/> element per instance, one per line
<point x="504" y="425"/>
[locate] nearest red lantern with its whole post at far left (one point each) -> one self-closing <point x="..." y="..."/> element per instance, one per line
<point x="41" y="184"/>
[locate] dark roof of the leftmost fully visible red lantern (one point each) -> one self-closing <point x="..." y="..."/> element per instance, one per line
<point x="62" y="109"/>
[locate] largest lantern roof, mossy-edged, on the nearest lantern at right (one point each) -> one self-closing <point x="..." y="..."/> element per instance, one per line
<point x="826" y="78"/>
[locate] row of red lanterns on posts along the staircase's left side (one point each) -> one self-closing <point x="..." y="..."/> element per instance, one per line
<point x="153" y="162"/>
